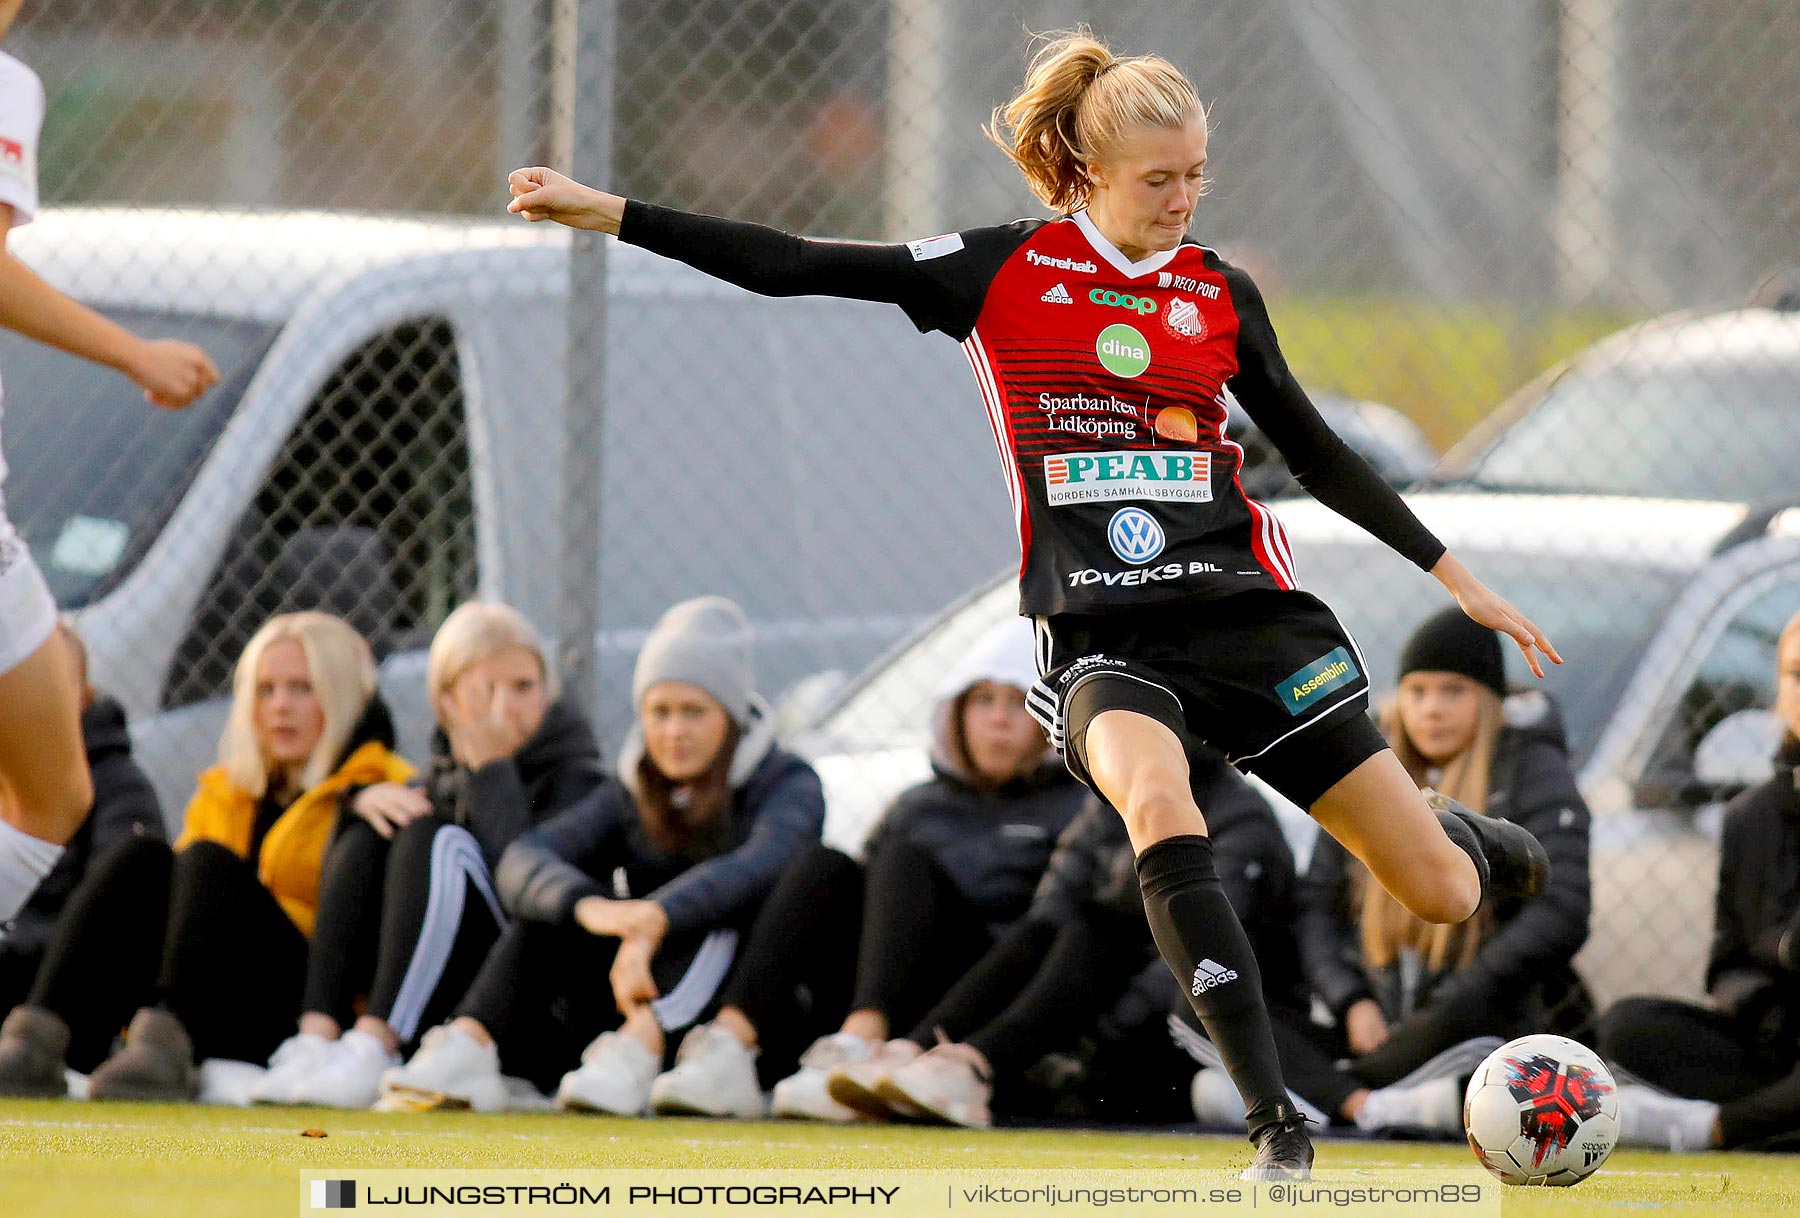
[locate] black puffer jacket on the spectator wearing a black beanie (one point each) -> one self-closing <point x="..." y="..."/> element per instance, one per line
<point x="1524" y="967"/>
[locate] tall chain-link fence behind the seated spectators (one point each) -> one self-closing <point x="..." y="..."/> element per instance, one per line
<point x="1443" y="201"/>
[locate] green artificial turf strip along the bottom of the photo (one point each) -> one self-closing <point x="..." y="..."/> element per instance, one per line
<point x="103" y="1161"/>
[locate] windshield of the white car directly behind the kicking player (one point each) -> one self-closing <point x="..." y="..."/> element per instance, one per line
<point x="1601" y="623"/>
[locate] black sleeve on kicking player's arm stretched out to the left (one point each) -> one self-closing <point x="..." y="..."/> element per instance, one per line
<point x="939" y="282"/>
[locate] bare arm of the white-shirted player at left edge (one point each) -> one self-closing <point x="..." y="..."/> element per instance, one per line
<point x="170" y="373"/>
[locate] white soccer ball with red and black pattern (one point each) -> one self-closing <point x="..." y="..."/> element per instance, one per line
<point x="1542" y="1111"/>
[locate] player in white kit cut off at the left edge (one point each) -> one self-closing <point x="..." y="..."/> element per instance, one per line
<point x="44" y="776"/>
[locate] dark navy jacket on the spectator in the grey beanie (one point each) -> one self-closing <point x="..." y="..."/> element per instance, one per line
<point x="600" y="846"/>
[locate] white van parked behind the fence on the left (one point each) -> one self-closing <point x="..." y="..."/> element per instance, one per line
<point x="390" y="440"/>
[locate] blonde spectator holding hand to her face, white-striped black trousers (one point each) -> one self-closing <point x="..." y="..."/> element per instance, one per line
<point x="408" y="909"/>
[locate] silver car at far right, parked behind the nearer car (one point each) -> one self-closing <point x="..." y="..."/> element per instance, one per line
<point x="1689" y="406"/>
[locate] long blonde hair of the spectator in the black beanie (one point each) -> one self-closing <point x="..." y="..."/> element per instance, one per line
<point x="1387" y="927"/>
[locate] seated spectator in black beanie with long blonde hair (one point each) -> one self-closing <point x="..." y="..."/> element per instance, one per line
<point x="1419" y="1007"/>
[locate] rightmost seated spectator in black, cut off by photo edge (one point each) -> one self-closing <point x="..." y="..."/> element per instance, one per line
<point x="1729" y="1075"/>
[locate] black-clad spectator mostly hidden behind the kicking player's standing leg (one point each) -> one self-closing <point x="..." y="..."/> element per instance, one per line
<point x="1081" y="949"/>
